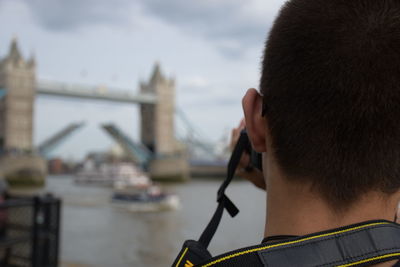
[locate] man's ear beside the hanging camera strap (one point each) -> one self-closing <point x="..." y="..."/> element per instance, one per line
<point x="255" y="123"/>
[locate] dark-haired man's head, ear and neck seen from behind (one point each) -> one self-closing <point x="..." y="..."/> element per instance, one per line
<point x="327" y="118"/>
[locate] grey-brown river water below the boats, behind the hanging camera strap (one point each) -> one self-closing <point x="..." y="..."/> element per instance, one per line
<point x="95" y="233"/>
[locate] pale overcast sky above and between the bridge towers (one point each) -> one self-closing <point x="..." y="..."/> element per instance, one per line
<point x="212" y="48"/>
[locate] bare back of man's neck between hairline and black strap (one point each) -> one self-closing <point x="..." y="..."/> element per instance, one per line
<point x="295" y="210"/>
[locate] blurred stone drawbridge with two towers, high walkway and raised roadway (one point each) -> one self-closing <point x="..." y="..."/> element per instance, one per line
<point x="19" y="86"/>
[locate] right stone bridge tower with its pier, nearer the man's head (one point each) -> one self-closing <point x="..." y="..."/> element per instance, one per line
<point x="158" y="131"/>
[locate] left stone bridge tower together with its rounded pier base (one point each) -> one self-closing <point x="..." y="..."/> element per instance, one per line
<point x="17" y="94"/>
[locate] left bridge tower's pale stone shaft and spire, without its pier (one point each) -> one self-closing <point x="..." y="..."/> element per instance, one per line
<point x="17" y="83"/>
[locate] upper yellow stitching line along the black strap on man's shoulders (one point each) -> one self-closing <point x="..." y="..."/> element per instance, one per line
<point x="290" y="243"/>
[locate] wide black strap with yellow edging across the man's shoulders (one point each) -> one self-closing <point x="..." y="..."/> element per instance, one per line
<point x="362" y="244"/>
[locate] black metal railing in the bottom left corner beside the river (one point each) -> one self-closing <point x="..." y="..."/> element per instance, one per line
<point x="30" y="231"/>
